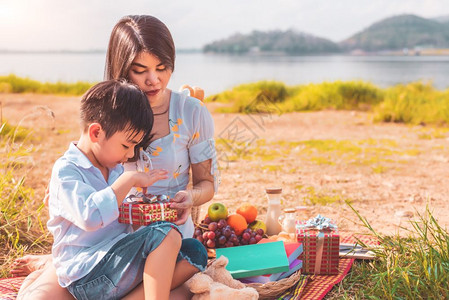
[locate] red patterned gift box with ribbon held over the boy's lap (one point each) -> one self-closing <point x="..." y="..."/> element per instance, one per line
<point x="146" y="209"/>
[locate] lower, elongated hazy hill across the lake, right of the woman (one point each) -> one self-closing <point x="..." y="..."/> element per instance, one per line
<point x="285" y="42"/>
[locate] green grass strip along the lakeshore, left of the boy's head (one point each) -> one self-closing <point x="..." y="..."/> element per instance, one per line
<point x="15" y="84"/>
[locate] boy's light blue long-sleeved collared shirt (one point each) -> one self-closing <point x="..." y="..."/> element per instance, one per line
<point x="83" y="215"/>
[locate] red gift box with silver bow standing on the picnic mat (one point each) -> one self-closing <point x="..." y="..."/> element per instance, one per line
<point x="321" y="242"/>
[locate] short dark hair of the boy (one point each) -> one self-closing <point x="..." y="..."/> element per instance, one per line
<point x="117" y="106"/>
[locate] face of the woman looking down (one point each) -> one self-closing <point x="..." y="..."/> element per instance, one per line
<point x="151" y="76"/>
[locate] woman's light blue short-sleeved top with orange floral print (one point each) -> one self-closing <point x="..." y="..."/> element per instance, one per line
<point x="190" y="141"/>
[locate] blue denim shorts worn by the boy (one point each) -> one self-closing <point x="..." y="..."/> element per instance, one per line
<point x="121" y="269"/>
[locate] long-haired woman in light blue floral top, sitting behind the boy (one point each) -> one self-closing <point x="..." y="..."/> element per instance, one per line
<point x="141" y="50"/>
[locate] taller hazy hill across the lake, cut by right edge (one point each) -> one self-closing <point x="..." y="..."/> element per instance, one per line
<point x="399" y="32"/>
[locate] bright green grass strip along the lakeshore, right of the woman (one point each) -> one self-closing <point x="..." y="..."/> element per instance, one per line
<point x="413" y="103"/>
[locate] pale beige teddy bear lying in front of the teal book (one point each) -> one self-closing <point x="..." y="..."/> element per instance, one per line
<point x="216" y="283"/>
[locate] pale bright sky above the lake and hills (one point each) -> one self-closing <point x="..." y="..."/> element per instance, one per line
<point x="86" y="24"/>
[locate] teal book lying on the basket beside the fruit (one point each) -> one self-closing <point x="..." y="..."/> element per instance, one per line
<point x="254" y="260"/>
